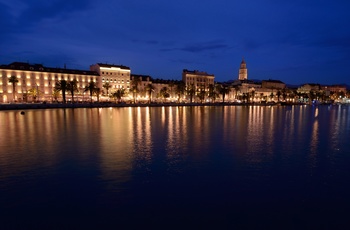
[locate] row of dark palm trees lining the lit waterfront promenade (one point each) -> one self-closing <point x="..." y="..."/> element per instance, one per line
<point x="211" y="92"/>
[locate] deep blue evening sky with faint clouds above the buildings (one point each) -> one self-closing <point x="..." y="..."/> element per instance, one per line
<point x="296" y="41"/>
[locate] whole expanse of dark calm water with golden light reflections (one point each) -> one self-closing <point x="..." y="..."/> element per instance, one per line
<point x="239" y="167"/>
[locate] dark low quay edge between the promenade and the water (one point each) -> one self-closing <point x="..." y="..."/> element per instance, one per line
<point x="25" y="106"/>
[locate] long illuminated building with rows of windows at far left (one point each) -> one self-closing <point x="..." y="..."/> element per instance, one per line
<point x="37" y="82"/>
